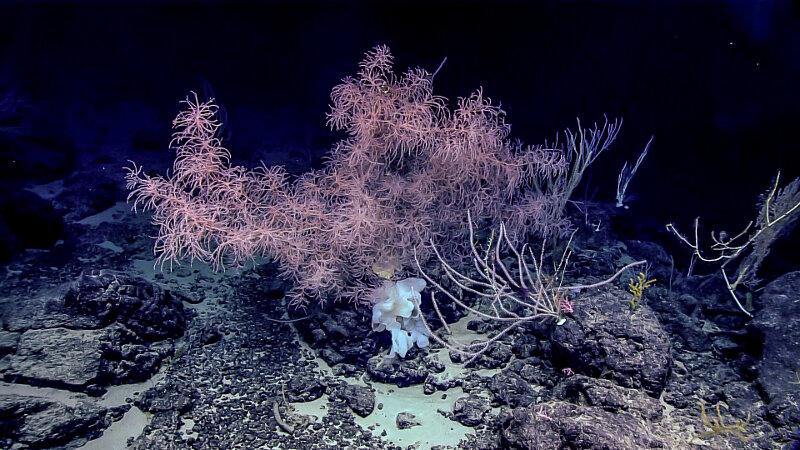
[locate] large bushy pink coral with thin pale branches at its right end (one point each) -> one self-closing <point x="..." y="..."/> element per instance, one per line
<point x="407" y="173"/>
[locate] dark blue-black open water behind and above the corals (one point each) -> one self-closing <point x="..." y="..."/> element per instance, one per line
<point x="714" y="82"/>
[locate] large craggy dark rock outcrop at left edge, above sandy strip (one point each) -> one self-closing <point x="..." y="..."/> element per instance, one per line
<point x="106" y="328"/>
